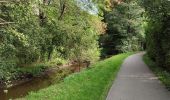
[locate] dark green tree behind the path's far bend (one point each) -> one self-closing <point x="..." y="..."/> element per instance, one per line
<point x="125" y="24"/>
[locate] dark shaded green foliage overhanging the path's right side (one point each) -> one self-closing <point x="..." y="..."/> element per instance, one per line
<point x="157" y="31"/>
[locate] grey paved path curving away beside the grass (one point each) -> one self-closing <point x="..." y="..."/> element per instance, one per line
<point x="136" y="82"/>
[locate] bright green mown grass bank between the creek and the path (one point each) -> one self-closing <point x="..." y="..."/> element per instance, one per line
<point x="91" y="84"/>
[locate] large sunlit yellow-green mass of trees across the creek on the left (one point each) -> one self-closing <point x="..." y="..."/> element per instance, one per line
<point x="49" y="33"/>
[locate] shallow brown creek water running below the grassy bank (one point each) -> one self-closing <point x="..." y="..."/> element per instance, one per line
<point x="33" y="84"/>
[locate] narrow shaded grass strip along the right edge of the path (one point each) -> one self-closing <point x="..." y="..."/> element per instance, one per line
<point x="161" y="73"/>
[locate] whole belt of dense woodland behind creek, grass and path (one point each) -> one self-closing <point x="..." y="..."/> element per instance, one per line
<point x="53" y="32"/>
